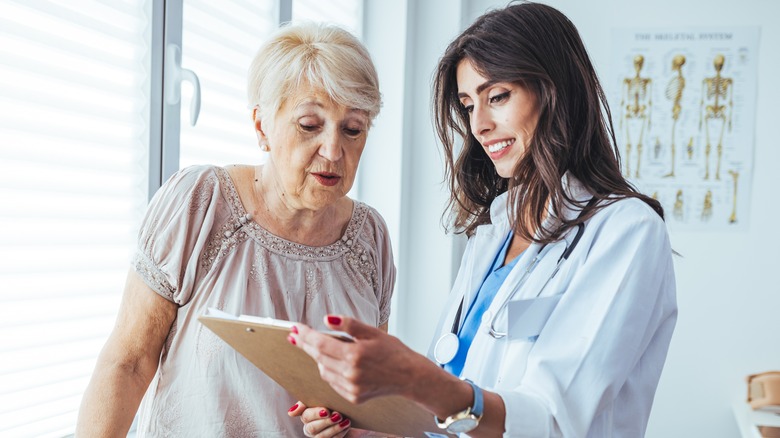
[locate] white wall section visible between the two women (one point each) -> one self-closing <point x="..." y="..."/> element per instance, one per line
<point x="406" y="38"/>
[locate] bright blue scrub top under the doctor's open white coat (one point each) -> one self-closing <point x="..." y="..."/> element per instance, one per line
<point x="487" y="292"/>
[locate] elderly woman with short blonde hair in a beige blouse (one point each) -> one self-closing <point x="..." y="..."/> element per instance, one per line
<point x="280" y="240"/>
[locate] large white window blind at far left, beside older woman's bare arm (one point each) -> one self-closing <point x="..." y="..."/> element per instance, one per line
<point x="74" y="96"/>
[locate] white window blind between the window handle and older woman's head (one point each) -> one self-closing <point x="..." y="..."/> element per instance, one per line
<point x="218" y="43"/>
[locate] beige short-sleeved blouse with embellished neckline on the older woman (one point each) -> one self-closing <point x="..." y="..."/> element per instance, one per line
<point x="196" y="250"/>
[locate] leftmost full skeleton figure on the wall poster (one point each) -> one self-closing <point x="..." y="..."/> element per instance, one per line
<point x="638" y="92"/>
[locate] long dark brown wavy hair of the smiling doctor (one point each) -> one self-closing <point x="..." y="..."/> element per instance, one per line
<point x="534" y="46"/>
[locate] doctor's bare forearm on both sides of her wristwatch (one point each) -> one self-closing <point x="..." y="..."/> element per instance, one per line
<point x="444" y="394"/>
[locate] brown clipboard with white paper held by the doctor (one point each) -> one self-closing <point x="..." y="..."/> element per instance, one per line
<point x="265" y="345"/>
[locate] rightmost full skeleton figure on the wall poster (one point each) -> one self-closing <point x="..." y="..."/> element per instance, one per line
<point x="714" y="90"/>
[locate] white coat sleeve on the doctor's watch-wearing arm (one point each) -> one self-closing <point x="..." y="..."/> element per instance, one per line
<point x="609" y="335"/>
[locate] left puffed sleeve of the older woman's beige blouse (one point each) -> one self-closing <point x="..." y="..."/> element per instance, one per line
<point x="174" y="232"/>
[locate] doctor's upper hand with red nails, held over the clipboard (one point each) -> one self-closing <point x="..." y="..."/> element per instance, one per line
<point x="375" y="364"/>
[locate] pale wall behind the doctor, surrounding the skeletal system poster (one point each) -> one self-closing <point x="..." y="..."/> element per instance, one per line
<point x="728" y="293"/>
